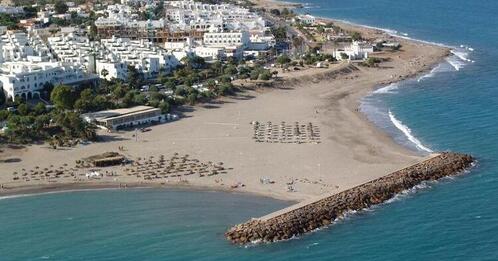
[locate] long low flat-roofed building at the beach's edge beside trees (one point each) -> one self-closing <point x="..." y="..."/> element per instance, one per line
<point x="122" y="118"/>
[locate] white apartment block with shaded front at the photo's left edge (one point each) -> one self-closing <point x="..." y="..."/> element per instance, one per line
<point x="26" y="79"/>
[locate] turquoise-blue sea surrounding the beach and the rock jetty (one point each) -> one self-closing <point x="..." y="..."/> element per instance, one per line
<point x="455" y="219"/>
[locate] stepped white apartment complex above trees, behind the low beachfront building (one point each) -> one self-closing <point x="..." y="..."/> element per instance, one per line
<point x="110" y="58"/>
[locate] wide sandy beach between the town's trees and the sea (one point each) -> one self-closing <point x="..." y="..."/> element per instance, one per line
<point x="348" y="152"/>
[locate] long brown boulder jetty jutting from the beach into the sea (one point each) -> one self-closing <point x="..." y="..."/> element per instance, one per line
<point x="307" y="217"/>
